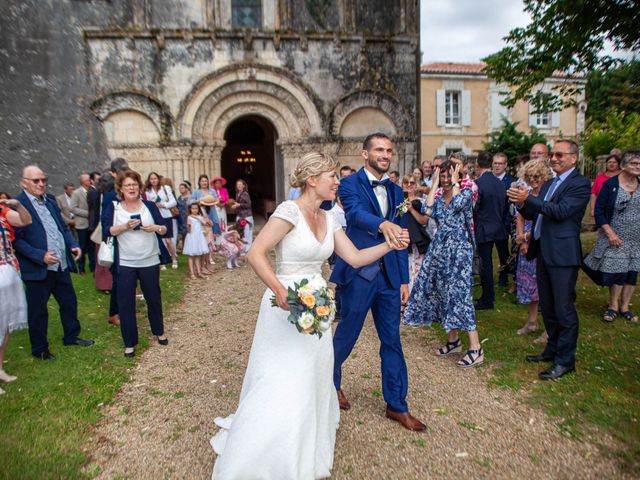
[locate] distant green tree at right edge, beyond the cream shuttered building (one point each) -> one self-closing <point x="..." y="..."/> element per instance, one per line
<point x="617" y="88"/>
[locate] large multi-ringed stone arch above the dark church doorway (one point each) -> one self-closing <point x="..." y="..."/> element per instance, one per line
<point x="239" y="90"/>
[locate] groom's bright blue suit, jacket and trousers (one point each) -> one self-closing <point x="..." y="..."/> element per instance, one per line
<point x="373" y="287"/>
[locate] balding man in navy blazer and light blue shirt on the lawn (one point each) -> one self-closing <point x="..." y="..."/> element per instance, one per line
<point x="45" y="250"/>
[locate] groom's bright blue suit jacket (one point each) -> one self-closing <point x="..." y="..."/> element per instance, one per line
<point x="363" y="216"/>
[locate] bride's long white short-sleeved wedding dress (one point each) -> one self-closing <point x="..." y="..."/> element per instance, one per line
<point x="286" y="421"/>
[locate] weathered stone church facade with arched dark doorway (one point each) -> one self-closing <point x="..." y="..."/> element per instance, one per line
<point x="239" y="88"/>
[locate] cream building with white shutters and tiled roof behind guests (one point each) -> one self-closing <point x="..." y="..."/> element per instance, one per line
<point x="461" y="106"/>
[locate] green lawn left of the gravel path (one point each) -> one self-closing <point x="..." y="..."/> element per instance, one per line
<point x="47" y="414"/>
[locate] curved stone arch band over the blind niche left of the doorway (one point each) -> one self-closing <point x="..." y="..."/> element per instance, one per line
<point x="157" y="111"/>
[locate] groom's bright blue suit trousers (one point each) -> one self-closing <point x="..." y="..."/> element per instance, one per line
<point x="358" y="297"/>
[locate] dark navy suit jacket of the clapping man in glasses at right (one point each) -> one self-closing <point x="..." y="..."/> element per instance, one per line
<point x="559" y="243"/>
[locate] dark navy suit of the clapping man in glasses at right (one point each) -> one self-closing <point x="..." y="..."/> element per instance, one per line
<point x="559" y="256"/>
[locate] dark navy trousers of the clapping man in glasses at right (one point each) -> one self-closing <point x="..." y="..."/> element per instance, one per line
<point x="557" y="291"/>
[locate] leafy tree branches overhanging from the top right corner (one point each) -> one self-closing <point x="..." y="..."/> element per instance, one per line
<point x="564" y="36"/>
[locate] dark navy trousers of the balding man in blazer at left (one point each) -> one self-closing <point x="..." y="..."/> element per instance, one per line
<point x="38" y="293"/>
